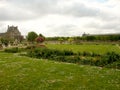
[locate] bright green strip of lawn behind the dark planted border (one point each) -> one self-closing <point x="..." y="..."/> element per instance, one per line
<point x="101" y="49"/>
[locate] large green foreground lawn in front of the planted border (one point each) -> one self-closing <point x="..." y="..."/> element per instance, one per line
<point x="24" y="73"/>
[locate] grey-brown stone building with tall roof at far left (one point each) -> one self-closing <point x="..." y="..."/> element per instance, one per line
<point x="12" y="33"/>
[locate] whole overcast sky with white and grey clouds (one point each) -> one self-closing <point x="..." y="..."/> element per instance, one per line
<point x="61" y="17"/>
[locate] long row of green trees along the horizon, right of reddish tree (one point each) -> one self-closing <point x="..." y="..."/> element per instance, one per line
<point x="88" y="38"/>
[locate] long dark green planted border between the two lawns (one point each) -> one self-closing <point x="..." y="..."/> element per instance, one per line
<point x="85" y="58"/>
